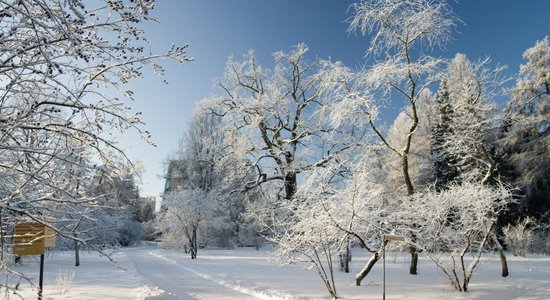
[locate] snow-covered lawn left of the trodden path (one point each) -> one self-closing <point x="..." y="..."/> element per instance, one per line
<point x="95" y="278"/>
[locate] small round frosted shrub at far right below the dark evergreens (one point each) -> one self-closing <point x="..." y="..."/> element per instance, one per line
<point x="519" y="237"/>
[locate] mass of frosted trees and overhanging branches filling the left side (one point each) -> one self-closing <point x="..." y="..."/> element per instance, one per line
<point x="64" y="103"/>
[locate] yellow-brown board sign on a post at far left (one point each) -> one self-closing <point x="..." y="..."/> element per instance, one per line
<point x="28" y="239"/>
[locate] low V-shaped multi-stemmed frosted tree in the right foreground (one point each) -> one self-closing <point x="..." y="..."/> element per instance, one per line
<point x="457" y="225"/>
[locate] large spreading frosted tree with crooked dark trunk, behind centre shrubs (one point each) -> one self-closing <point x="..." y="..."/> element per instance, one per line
<point x="271" y="118"/>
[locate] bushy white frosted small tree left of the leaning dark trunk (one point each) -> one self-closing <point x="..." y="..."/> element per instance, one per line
<point x="331" y="209"/>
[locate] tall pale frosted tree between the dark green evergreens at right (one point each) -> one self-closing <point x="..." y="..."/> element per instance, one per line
<point x="471" y="86"/>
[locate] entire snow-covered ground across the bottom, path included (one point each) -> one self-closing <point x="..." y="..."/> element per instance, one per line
<point x="152" y="273"/>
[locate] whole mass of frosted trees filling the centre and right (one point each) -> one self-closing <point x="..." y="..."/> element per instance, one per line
<point x="300" y="155"/>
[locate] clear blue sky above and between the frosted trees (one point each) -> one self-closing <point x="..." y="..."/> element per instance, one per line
<point x="216" y="29"/>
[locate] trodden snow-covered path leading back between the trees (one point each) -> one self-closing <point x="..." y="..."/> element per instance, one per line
<point x="173" y="272"/>
